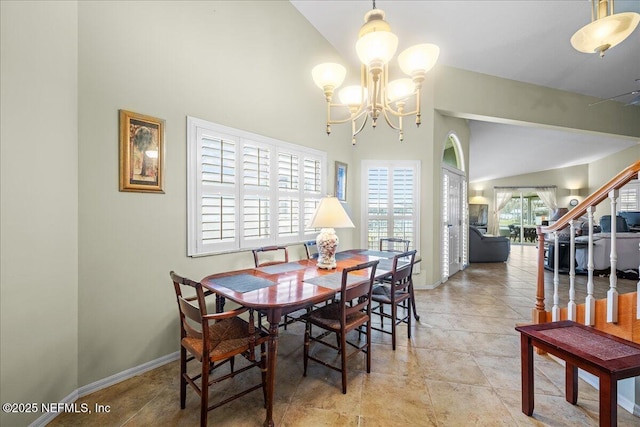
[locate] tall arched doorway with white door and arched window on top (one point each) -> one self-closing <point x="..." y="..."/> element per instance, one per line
<point x="454" y="208"/>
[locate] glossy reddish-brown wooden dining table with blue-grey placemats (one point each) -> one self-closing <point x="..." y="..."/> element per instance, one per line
<point x="280" y="289"/>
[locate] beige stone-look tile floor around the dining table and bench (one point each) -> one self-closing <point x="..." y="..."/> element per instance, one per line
<point x="460" y="368"/>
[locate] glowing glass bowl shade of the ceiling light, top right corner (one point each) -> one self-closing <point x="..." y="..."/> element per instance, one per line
<point x="608" y="31"/>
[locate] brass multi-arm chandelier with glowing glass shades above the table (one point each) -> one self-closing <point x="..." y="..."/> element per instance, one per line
<point x="377" y="96"/>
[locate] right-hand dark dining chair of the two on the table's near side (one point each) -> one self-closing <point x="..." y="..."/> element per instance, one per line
<point x="399" y="291"/>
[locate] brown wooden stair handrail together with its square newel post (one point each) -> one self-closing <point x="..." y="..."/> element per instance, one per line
<point x="617" y="182"/>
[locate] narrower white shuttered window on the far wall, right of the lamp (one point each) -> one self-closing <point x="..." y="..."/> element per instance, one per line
<point x="390" y="201"/>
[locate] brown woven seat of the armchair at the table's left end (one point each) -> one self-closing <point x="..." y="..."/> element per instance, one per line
<point x="226" y="336"/>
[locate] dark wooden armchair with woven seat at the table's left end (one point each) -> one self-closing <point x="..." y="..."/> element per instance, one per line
<point x="214" y="340"/>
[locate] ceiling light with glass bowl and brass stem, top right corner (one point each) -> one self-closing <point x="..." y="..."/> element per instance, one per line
<point x="606" y="29"/>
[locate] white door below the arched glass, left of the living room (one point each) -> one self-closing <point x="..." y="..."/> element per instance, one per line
<point x="452" y="204"/>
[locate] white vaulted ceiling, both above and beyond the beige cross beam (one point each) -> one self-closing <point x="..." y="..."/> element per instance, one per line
<point x="521" y="40"/>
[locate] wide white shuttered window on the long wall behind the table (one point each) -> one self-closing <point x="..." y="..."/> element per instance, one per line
<point x="245" y="190"/>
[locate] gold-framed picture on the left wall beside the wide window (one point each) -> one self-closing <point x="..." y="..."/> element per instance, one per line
<point x="141" y="153"/>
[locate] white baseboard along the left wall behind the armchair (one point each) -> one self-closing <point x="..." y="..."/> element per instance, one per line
<point x="46" y="418"/>
